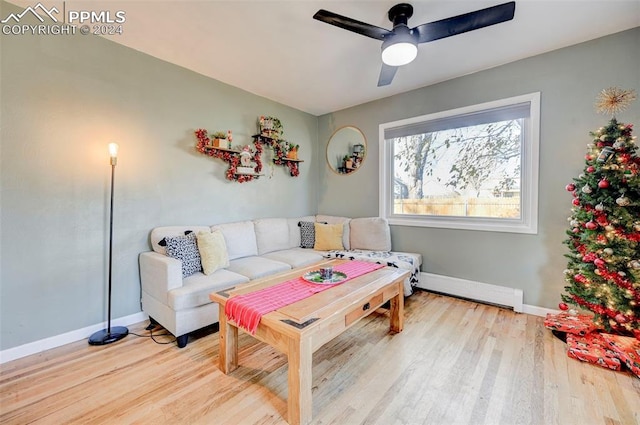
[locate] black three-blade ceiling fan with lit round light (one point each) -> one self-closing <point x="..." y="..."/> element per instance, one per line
<point x="400" y="45"/>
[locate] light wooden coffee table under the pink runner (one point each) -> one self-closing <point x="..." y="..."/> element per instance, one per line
<point x="299" y="329"/>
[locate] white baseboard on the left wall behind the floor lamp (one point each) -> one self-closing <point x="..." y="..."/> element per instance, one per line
<point x="66" y="338"/>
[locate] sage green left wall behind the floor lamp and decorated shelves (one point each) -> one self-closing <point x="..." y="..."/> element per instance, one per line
<point x="63" y="99"/>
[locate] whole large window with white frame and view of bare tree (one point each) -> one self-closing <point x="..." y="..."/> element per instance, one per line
<point x="469" y="168"/>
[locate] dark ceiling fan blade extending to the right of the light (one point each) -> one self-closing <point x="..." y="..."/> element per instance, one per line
<point x="466" y="22"/>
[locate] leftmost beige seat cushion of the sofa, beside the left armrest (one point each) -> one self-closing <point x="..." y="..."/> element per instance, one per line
<point x="195" y="289"/>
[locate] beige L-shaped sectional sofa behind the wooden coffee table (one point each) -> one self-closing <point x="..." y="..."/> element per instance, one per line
<point x="178" y="299"/>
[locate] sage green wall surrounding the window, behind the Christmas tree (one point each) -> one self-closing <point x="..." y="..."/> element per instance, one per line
<point x="569" y="80"/>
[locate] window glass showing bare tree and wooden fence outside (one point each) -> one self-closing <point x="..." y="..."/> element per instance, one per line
<point x="467" y="171"/>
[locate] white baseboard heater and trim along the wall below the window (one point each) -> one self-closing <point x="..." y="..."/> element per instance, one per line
<point x="482" y="292"/>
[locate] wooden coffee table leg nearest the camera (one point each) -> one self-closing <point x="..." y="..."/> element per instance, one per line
<point x="300" y="405"/>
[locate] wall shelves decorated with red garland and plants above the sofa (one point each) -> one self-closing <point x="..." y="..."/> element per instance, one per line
<point x="245" y="164"/>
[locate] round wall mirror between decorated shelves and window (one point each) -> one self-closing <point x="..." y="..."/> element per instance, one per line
<point x="346" y="150"/>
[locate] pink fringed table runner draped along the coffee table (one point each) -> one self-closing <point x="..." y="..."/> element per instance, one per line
<point x="247" y="310"/>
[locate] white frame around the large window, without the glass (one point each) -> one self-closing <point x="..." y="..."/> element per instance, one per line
<point x="528" y="221"/>
